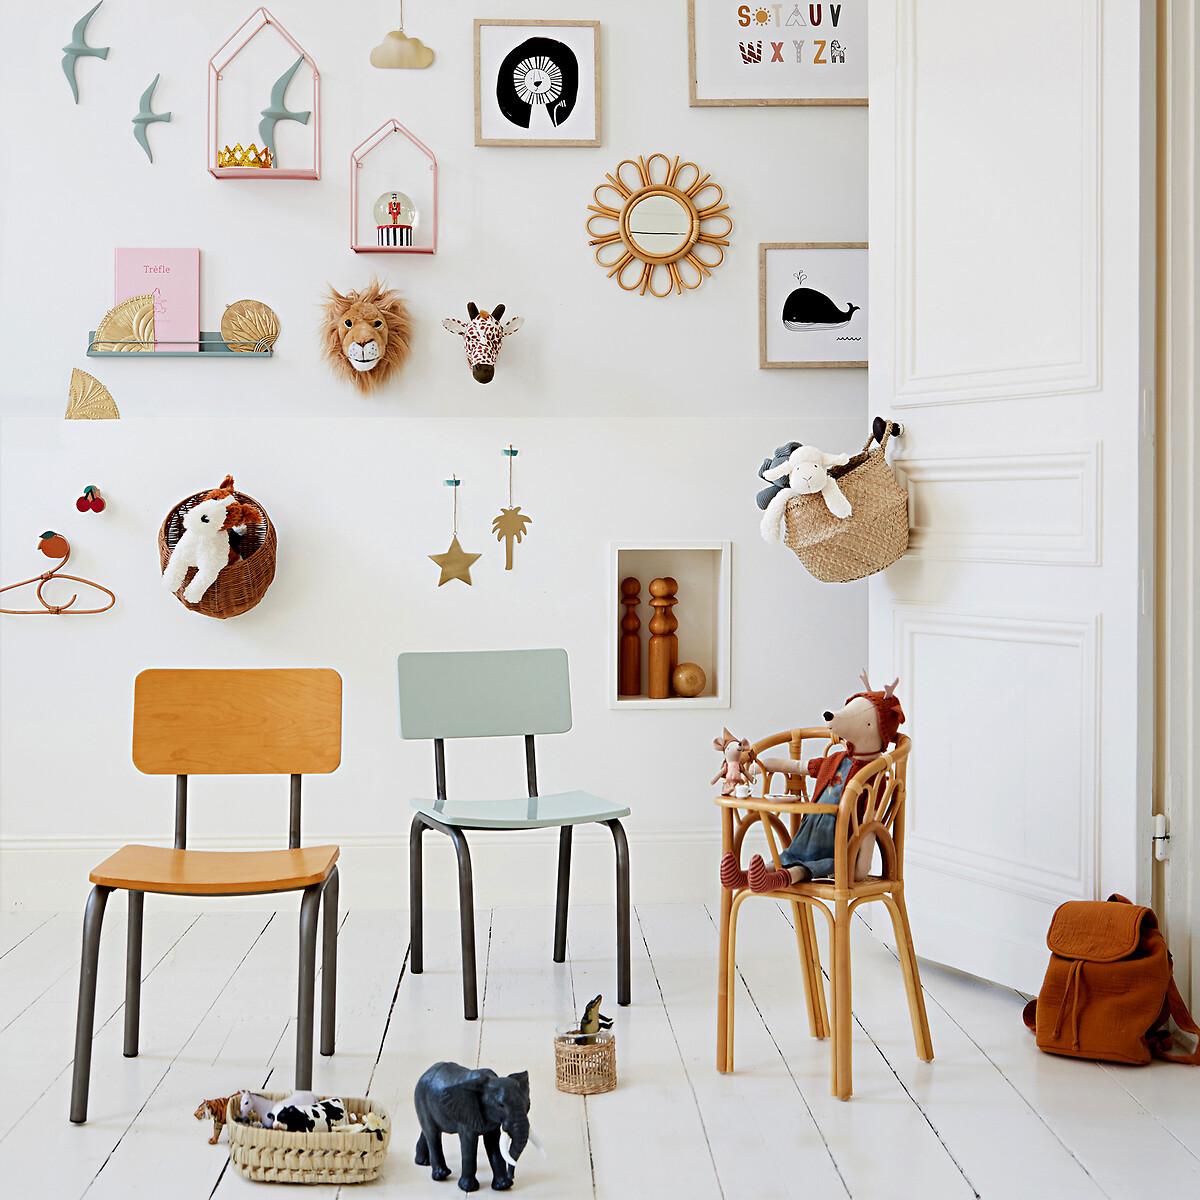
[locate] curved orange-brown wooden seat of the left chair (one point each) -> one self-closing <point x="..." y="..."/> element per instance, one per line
<point x="215" y="873"/>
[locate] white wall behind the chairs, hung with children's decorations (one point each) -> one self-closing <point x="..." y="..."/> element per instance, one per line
<point x="637" y="419"/>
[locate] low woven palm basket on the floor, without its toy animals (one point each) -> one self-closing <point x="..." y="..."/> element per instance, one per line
<point x="275" y="1156"/>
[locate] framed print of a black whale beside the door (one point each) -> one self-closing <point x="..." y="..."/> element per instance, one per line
<point x="813" y="304"/>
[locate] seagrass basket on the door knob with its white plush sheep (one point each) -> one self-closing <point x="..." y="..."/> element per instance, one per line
<point x="843" y="517"/>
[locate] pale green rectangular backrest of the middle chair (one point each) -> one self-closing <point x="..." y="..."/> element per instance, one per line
<point x="484" y="694"/>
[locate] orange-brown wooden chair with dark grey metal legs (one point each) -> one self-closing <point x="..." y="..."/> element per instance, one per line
<point x="224" y="723"/>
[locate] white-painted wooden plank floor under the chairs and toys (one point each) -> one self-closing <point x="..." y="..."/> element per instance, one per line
<point x="989" y="1118"/>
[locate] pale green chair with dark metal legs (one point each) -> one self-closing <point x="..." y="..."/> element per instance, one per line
<point x="494" y="694"/>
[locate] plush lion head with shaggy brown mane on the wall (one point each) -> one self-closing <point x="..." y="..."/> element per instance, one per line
<point x="368" y="335"/>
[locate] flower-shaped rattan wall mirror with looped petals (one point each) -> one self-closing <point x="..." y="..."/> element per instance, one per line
<point x="659" y="225"/>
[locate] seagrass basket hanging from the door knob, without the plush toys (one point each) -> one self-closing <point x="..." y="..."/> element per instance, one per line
<point x="871" y="539"/>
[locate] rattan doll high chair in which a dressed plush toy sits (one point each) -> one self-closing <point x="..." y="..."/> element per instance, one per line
<point x="872" y="807"/>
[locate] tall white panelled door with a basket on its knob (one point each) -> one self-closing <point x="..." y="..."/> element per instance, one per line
<point x="1012" y="308"/>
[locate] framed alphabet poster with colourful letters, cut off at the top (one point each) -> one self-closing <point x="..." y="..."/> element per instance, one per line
<point x="794" y="53"/>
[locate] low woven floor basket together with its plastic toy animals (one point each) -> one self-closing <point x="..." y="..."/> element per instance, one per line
<point x="301" y="1138"/>
